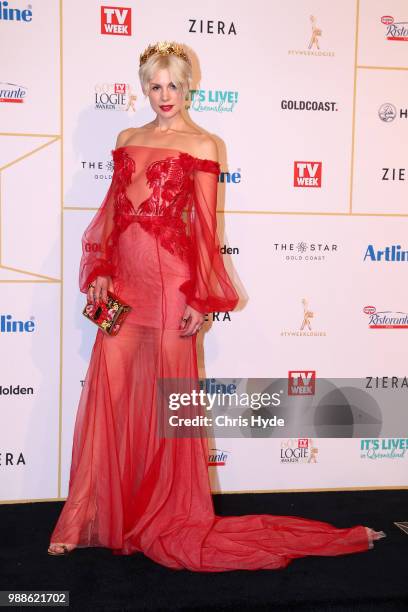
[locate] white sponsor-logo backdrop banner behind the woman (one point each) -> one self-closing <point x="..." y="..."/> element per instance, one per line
<point x="308" y="102"/>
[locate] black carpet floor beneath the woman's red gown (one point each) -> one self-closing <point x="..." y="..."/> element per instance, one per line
<point x="98" y="580"/>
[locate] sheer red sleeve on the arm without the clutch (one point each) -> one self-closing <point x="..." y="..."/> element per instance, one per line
<point x="210" y="289"/>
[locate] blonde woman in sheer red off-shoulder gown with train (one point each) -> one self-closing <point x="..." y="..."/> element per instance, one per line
<point x="131" y="490"/>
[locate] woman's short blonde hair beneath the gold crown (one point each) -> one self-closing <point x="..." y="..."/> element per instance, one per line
<point x="179" y="69"/>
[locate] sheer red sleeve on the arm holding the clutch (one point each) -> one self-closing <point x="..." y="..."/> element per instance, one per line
<point x="99" y="255"/>
